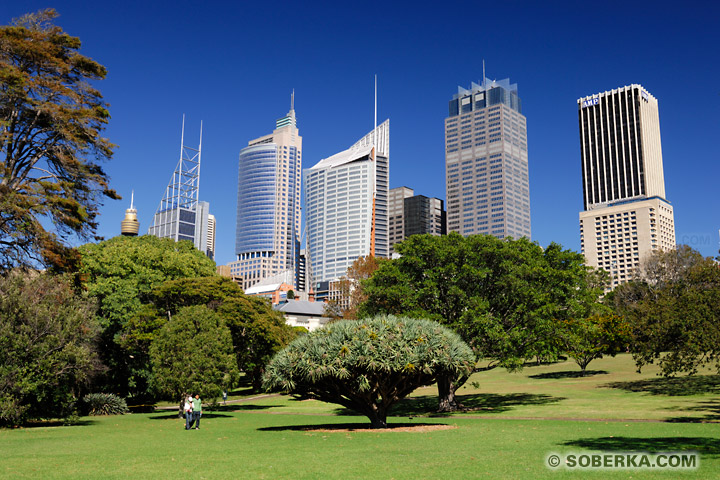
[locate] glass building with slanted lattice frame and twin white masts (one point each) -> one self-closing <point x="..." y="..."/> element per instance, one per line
<point x="180" y="215"/>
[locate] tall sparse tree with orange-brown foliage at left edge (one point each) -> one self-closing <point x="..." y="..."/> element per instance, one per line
<point x="51" y="123"/>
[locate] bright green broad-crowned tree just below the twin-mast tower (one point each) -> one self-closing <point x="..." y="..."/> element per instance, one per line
<point x="121" y="273"/>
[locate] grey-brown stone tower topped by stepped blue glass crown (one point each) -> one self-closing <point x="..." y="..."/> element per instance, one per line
<point x="486" y="162"/>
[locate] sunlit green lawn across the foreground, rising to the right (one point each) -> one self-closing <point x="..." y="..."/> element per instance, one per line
<point x="513" y="422"/>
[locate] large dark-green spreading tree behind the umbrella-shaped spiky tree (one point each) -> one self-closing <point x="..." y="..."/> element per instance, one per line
<point x="504" y="297"/>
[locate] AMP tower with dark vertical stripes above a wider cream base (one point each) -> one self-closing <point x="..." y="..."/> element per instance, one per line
<point x="626" y="215"/>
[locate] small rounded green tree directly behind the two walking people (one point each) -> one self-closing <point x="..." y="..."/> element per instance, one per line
<point x="193" y="352"/>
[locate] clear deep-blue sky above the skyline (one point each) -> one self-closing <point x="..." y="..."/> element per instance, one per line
<point x="234" y="64"/>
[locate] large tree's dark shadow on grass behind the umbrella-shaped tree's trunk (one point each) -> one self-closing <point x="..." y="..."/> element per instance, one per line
<point x="426" y="405"/>
